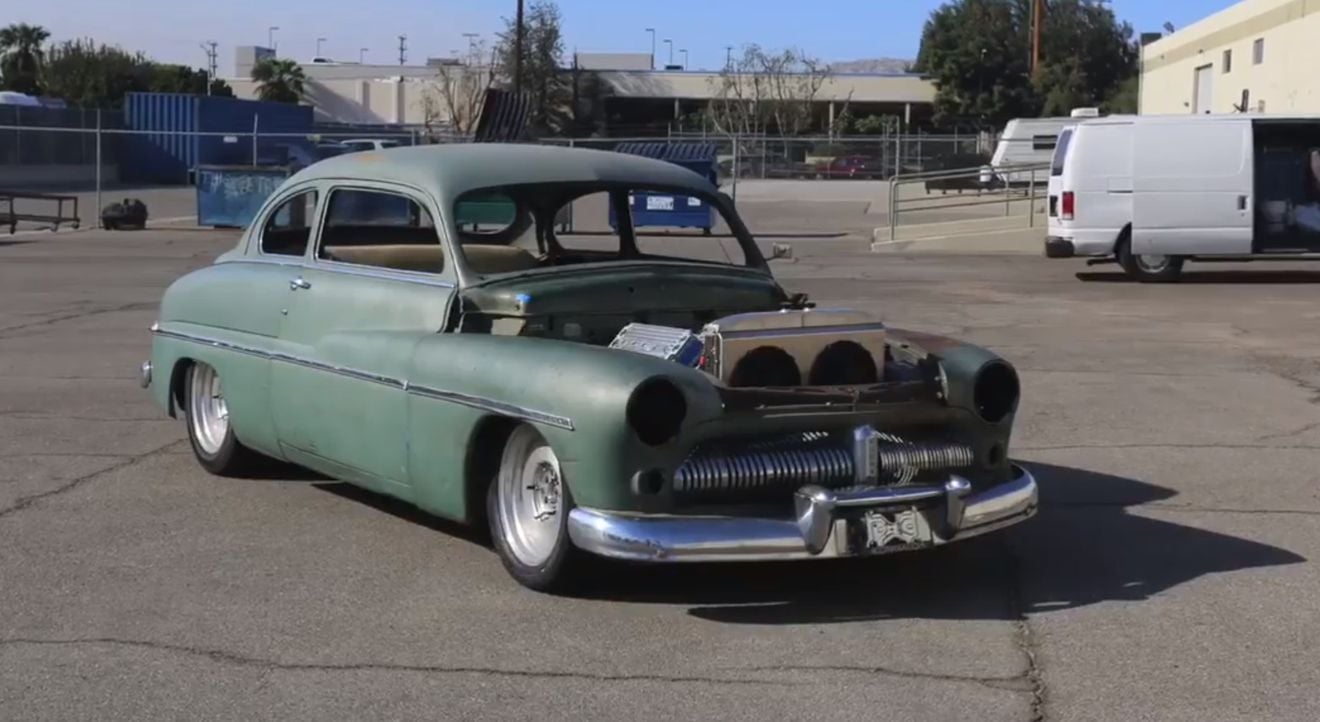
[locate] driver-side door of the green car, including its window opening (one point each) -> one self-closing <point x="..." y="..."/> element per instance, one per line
<point x="377" y="283"/>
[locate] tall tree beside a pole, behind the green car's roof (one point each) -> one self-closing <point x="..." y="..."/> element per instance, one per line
<point x="543" y="79"/>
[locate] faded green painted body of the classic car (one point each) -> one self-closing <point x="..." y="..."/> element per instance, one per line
<point x="364" y="374"/>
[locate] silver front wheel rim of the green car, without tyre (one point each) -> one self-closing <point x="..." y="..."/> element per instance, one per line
<point x="530" y="498"/>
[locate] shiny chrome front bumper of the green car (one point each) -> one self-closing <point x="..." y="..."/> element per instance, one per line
<point x="819" y="531"/>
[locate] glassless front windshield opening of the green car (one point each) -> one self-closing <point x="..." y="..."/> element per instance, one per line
<point x="527" y="228"/>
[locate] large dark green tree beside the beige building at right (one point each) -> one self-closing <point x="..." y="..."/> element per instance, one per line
<point x="977" y="52"/>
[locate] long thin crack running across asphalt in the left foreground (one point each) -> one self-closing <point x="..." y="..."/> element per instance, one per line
<point x="244" y="661"/>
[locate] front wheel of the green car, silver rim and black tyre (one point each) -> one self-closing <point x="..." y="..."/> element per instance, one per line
<point x="527" y="508"/>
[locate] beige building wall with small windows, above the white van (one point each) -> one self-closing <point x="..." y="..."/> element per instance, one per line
<point x="1284" y="79"/>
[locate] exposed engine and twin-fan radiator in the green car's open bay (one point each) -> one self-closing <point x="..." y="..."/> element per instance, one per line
<point x="773" y="349"/>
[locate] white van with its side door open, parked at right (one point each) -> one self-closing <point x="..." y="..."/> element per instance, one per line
<point x="1201" y="188"/>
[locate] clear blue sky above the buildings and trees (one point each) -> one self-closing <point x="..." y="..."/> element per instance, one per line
<point x="830" y="30"/>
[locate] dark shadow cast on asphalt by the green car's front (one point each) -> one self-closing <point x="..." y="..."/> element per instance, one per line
<point x="1082" y="550"/>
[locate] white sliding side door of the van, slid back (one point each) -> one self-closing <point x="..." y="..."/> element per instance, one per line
<point x="1193" y="187"/>
